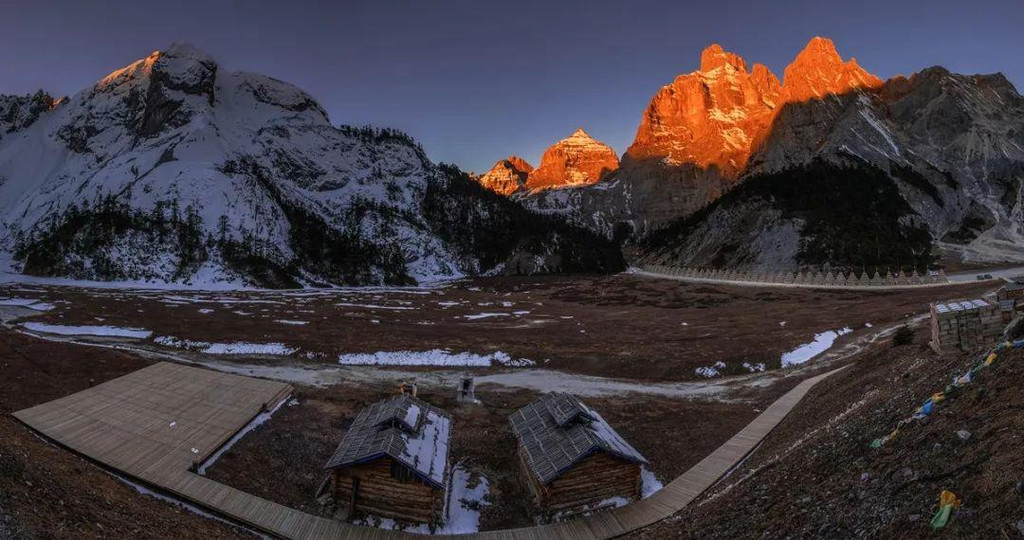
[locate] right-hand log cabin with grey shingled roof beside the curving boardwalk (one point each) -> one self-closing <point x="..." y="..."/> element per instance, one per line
<point x="572" y="460"/>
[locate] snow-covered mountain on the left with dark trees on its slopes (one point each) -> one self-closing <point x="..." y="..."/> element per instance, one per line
<point x="174" y="170"/>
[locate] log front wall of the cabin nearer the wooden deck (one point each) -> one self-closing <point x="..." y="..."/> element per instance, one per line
<point x="380" y="494"/>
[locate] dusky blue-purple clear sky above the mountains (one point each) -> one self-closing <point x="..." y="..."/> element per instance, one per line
<point x="477" y="80"/>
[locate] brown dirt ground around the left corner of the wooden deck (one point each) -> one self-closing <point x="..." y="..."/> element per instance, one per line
<point x="48" y="492"/>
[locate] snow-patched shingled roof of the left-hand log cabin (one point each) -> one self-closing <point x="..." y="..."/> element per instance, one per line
<point x="405" y="429"/>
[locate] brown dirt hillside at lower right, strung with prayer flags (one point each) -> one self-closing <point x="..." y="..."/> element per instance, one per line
<point x="818" y="477"/>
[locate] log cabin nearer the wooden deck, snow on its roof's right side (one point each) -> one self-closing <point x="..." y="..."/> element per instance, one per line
<point x="394" y="462"/>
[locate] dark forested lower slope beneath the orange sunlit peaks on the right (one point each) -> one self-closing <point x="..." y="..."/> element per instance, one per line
<point x="808" y="217"/>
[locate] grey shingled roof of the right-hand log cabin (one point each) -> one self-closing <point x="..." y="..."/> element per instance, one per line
<point x="559" y="431"/>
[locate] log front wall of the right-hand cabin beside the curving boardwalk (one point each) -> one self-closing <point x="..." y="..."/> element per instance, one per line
<point x="594" y="480"/>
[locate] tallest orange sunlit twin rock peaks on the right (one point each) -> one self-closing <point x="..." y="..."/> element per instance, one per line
<point x="717" y="116"/>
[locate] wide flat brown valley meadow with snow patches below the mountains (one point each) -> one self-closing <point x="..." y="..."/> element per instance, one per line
<point x="647" y="329"/>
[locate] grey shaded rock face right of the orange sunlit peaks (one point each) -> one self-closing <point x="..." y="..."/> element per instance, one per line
<point x="953" y="144"/>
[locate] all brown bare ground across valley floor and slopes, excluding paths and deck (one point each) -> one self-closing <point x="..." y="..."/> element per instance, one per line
<point x="624" y="327"/>
